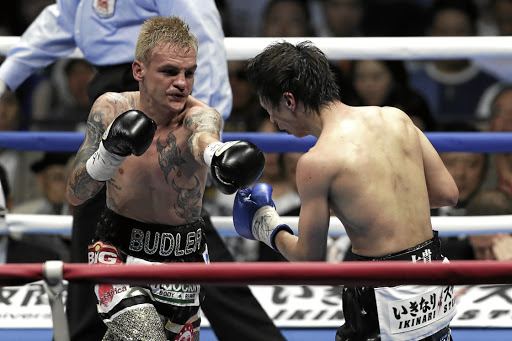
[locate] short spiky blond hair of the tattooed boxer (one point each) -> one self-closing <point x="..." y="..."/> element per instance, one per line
<point x="163" y="30"/>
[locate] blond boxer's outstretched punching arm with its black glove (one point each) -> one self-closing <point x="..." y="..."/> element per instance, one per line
<point x="234" y="164"/>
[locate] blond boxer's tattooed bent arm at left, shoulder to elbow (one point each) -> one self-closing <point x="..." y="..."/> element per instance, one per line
<point x="80" y="184"/>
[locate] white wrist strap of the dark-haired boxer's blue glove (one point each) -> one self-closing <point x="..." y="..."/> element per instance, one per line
<point x="266" y="223"/>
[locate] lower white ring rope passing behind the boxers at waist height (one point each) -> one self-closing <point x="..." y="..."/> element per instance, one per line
<point x="451" y="225"/>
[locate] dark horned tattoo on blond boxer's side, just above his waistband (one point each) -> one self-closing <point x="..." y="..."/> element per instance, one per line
<point x="188" y="205"/>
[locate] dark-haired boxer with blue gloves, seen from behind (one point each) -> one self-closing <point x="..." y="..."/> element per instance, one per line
<point x="373" y="169"/>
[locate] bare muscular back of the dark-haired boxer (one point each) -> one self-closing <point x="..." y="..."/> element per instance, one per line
<point x="377" y="186"/>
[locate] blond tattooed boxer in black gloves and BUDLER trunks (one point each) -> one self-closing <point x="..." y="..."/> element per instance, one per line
<point x="153" y="149"/>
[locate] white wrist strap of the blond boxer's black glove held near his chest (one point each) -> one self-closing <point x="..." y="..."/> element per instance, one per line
<point x="102" y="165"/>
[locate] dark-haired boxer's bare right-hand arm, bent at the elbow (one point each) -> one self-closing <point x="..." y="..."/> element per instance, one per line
<point x="442" y="189"/>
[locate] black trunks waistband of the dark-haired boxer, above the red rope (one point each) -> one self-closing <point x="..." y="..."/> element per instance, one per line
<point x="427" y="251"/>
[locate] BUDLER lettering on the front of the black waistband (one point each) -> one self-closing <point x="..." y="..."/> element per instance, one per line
<point x="165" y="244"/>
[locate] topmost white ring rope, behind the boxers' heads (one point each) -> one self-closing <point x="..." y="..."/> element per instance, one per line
<point x="362" y="47"/>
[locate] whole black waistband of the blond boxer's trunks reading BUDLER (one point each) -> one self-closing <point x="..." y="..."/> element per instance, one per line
<point x="155" y="242"/>
